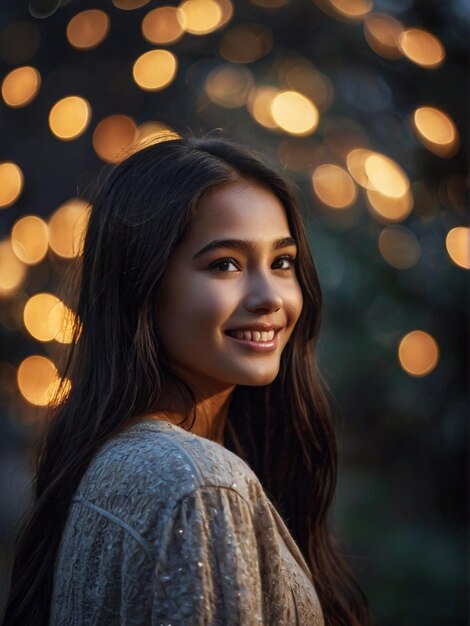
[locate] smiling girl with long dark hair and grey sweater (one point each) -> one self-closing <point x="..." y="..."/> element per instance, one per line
<point x="187" y="475"/>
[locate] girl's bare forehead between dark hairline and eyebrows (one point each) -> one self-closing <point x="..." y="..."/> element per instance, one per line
<point x="241" y="206"/>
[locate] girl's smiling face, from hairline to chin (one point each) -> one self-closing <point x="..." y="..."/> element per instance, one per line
<point x="213" y="286"/>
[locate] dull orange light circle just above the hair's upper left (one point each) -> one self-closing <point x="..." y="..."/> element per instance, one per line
<point x="113" y="137"/>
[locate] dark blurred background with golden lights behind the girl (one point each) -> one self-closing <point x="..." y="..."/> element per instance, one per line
<point x="359" y="71"/>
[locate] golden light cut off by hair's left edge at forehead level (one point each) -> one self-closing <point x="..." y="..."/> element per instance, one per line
<point x="67" y="228"/>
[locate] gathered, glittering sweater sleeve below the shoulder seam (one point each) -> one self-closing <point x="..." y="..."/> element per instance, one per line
<point x="207" y="571"/>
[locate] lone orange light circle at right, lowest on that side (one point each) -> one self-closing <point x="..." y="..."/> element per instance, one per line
<point x="418" y="353"/>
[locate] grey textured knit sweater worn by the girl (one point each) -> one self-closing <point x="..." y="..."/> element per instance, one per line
<point x="169" y="528"/>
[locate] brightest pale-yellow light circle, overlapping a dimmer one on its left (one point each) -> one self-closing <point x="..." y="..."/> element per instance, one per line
<point x="294" y="113"/>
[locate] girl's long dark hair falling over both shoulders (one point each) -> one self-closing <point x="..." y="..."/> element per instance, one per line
<point x="117" y="368"/>
